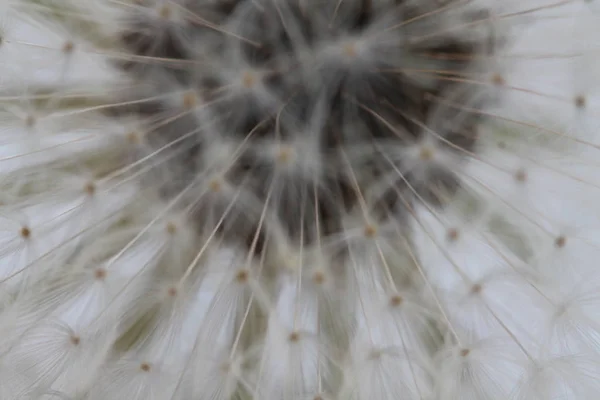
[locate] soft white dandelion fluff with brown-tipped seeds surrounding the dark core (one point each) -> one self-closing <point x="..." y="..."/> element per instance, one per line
<point x="108" y="291"/>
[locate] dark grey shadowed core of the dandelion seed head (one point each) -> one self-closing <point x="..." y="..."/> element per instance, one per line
<point x="352" y="108"/>
